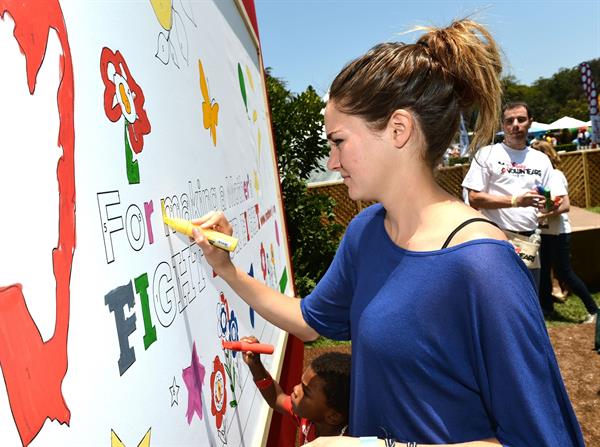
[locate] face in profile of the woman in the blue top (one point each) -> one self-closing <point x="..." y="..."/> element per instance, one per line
<point x="356" y="153"/>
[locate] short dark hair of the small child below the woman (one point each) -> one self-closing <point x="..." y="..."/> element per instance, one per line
<point x="334" y="369"/>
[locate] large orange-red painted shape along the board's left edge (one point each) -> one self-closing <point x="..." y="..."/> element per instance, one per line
<point x="33" y="370"/>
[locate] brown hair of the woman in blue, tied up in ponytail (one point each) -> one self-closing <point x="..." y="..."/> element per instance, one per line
<point x="448" y="71"/>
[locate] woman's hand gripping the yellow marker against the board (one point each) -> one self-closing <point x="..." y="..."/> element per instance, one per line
<point x="218" y="258"/>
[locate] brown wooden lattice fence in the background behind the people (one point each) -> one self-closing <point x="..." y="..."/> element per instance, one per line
<point x="582" y="169"/>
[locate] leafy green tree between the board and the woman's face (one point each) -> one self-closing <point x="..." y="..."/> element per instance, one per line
<point x="300" y="144"/>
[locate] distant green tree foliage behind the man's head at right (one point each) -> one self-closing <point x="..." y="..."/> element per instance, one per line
<point x="554" y="97"/>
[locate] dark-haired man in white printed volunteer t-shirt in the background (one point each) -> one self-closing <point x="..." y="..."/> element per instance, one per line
<point x="503" y="178"/>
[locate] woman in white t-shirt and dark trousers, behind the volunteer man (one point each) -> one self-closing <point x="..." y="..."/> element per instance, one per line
<point x="555" y="250"/>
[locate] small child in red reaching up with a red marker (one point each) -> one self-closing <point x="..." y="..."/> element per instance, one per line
<point x="319" y="404"/>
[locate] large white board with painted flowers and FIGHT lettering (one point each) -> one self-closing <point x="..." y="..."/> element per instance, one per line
<point x="110" y="323"/>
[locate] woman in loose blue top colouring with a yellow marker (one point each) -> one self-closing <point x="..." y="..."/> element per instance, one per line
<point x="448" y="341"/>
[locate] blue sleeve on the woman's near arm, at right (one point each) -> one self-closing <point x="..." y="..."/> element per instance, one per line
<point x="519" y="377"/>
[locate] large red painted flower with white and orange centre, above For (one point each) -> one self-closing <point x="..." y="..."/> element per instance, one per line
<point x="123" y="97"/>
